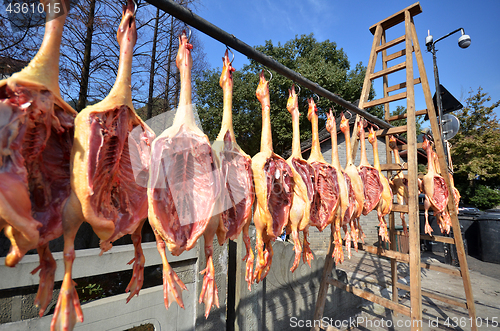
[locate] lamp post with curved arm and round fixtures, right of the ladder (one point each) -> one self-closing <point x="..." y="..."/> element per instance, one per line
<point x="463" y="42"/>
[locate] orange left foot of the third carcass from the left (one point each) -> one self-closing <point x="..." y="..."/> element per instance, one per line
<point x="172" y="285"/>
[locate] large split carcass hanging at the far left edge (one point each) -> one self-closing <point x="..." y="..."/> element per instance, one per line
<point x="37" y="129"/>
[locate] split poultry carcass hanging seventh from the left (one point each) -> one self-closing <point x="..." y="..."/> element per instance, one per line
<point x="326" y="197"/>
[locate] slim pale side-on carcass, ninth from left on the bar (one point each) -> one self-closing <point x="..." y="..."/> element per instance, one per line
<point x="357" y="186"/>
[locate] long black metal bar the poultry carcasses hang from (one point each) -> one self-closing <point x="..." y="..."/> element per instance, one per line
<point x="230" y="40"/>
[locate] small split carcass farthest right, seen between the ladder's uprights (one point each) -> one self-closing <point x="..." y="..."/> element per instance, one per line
<point x="434" y="188"/>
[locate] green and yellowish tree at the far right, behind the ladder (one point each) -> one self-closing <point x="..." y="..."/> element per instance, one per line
<point x="476" y="151"/>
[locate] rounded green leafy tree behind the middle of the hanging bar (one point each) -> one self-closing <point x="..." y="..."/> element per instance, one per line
<point x="320" y="62"/>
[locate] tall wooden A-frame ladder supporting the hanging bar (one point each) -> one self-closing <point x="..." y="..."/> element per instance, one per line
<point x="404" y="90"/>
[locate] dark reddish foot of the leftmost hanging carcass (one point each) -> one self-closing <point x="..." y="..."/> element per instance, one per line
<point x="47" y="270"/>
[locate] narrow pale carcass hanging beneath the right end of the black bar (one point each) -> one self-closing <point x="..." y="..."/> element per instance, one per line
<point x="384" y="205"/>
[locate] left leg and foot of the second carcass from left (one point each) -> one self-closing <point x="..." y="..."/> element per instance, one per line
<point x="68" y="310"/>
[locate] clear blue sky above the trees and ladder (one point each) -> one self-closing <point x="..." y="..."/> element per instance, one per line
<point x="347" y="23"/>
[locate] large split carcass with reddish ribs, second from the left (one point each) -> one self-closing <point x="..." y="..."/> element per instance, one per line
<point x="110" y="164"/>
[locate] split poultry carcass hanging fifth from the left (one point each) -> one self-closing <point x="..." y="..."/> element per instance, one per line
<point x="274" y="189"/>
